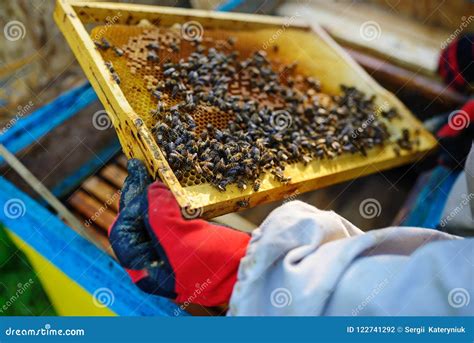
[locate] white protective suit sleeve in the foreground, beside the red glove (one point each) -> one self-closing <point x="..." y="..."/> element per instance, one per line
<point x="304" y="261"/>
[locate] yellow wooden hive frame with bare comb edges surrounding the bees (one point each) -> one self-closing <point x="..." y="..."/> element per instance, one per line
<point x="316" y="53"/>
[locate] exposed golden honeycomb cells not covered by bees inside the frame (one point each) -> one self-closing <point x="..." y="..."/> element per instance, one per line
<point x="139" y="76"/>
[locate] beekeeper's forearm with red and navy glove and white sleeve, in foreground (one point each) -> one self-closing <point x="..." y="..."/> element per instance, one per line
<point x="301" y="261"/>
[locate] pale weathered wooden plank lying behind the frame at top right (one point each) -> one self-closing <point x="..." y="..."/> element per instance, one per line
<point x="404" y="41"/>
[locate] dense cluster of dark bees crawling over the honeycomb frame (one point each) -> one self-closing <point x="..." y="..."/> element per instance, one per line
<point x="278" y="117"/>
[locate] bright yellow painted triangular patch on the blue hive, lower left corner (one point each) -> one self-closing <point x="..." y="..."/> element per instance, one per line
<point x="67" y="297"/>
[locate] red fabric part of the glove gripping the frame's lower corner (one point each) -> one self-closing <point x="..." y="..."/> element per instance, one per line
<point x="204" y="257"/>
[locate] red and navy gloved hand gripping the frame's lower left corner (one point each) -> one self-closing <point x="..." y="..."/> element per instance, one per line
<point x="185" y="260"/>
